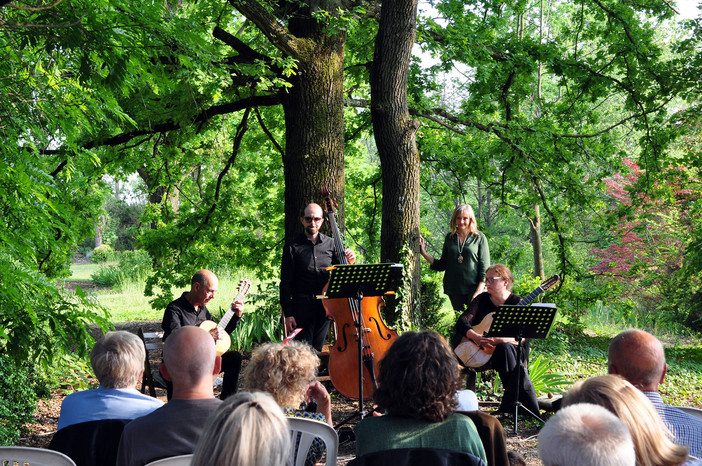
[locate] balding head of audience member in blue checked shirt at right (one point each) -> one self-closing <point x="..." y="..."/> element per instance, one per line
<point x="638" y="356"/>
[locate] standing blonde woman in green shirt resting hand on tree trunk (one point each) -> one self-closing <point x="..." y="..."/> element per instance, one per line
<point x="465" y="258"/>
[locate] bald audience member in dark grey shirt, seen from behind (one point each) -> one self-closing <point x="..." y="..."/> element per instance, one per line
<point x="190" y="362"/>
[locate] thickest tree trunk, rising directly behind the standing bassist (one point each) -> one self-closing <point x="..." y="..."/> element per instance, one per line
<point x="313" y="105"/>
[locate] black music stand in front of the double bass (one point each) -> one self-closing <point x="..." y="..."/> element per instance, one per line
<point x="354" y="281"/>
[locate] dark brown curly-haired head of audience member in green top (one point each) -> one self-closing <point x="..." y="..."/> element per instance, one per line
<point x="418" y="377"/>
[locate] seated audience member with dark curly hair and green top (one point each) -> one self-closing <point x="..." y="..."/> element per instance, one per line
<point x="418" y="380"/>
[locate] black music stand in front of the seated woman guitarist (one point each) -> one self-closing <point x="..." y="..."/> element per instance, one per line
<point x="521" y="322"/>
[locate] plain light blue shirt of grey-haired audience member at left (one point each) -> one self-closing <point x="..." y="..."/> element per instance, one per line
<point x="105" y="403"/>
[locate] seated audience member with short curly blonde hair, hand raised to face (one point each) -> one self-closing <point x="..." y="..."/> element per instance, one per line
<point x="287" y="372"/>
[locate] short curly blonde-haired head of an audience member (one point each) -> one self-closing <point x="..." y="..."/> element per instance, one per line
<point x="284" y="371"/>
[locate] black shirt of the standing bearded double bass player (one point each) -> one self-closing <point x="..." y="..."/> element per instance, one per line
<point x="303" y="271"/>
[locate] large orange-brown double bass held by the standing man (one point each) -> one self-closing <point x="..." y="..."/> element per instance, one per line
<point x="375" y="335"/>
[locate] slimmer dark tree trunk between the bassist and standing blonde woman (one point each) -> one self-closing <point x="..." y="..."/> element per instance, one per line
<point x="395" y="138"/>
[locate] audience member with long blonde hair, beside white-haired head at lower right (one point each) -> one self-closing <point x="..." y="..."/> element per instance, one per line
<point x="652" y="440"/>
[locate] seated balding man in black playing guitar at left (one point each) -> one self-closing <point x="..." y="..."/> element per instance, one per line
<point x="191" y="309"/>
